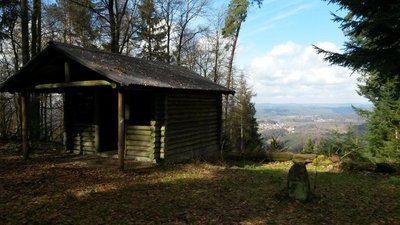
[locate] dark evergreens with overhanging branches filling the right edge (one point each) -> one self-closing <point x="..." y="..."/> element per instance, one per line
<point x="373" y="50"/>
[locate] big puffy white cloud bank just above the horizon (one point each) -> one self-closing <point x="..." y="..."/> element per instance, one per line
<point x="292" y="73"/>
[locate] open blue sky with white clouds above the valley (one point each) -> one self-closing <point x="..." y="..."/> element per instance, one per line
<point x="275" y="52"/>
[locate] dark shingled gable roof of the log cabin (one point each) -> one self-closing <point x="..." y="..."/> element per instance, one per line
<point x="120" y="69"/>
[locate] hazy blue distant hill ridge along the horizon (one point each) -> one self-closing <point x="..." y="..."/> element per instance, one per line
<point x="265" y="109"/>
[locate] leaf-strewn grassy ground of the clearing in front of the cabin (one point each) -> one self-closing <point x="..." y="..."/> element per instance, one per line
<point x="67" y="190"/>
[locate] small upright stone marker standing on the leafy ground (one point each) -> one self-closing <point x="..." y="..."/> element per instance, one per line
<point x="298" y="184"/>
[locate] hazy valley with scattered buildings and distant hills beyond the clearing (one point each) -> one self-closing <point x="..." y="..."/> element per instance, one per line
<point x="293" y="124"/>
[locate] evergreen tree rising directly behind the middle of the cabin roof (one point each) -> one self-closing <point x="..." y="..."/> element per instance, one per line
<point x="151" y="33"/>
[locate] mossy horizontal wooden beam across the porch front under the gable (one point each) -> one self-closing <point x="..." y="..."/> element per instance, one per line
<point x="84" y="83"/>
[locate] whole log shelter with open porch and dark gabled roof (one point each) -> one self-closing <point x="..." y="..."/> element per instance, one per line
<point x="149" y="111"/>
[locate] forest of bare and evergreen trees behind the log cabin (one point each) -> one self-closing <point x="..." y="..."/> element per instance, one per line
<point x="189" y="33"/>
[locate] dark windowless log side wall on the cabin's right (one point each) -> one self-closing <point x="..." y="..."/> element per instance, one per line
<point x="192" y="128"/>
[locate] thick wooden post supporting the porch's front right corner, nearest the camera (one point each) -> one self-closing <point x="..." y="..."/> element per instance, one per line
<point x="121" y="130"/>
